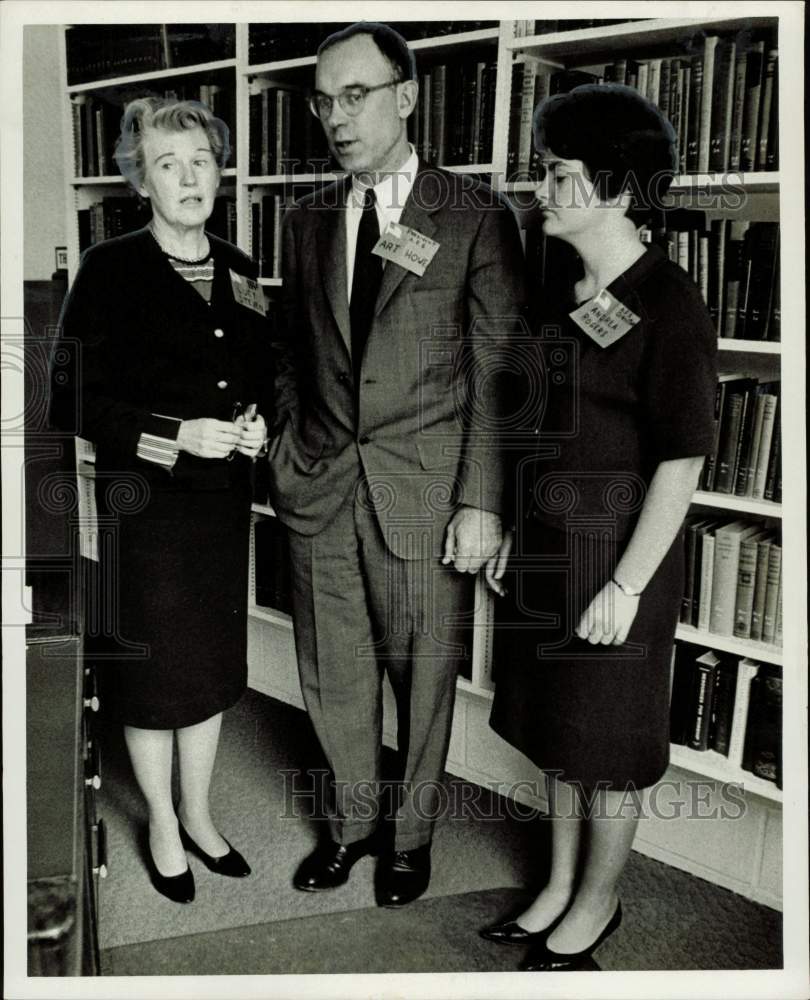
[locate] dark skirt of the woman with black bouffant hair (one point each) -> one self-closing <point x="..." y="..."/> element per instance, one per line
<point x="597" y="716"/>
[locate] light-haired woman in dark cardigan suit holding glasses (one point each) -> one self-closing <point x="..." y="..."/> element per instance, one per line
<point x="169" y="329"/>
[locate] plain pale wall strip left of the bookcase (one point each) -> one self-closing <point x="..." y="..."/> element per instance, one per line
<point x="44" y="205"/>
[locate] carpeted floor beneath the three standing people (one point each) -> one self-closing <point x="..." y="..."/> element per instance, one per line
<point x="487" y="854"/>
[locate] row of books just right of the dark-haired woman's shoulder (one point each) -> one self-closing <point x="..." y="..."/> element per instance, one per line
<point x="734" y="262"/>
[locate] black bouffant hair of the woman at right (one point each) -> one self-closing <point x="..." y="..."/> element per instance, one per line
<point x="624" y="141"/>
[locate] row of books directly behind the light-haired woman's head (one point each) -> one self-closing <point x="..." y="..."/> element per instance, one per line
<point x="97" y="123"/>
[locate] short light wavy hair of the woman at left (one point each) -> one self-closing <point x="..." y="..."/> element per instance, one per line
<point x="173" y="116"/>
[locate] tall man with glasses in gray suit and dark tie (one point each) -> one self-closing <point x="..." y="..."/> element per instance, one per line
<point x="385" y="463"/>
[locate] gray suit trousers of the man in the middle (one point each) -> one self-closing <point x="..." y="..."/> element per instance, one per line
<point x="360" y="612"/>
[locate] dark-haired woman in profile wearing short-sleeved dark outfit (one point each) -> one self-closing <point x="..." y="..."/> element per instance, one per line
<point x="597" y="566"/>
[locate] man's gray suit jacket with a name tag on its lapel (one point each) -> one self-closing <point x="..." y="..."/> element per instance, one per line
<point x="432" y="378"/>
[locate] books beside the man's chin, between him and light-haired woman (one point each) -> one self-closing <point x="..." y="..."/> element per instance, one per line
<point x="285" y="138"/>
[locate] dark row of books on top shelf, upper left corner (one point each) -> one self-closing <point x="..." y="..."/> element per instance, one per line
<point x="100" y="52"/>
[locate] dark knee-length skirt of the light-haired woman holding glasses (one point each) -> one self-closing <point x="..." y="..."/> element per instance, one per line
<point x="168" y="626"/>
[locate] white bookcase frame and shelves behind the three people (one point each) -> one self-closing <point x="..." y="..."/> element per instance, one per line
<point x="475" y="752"/>
